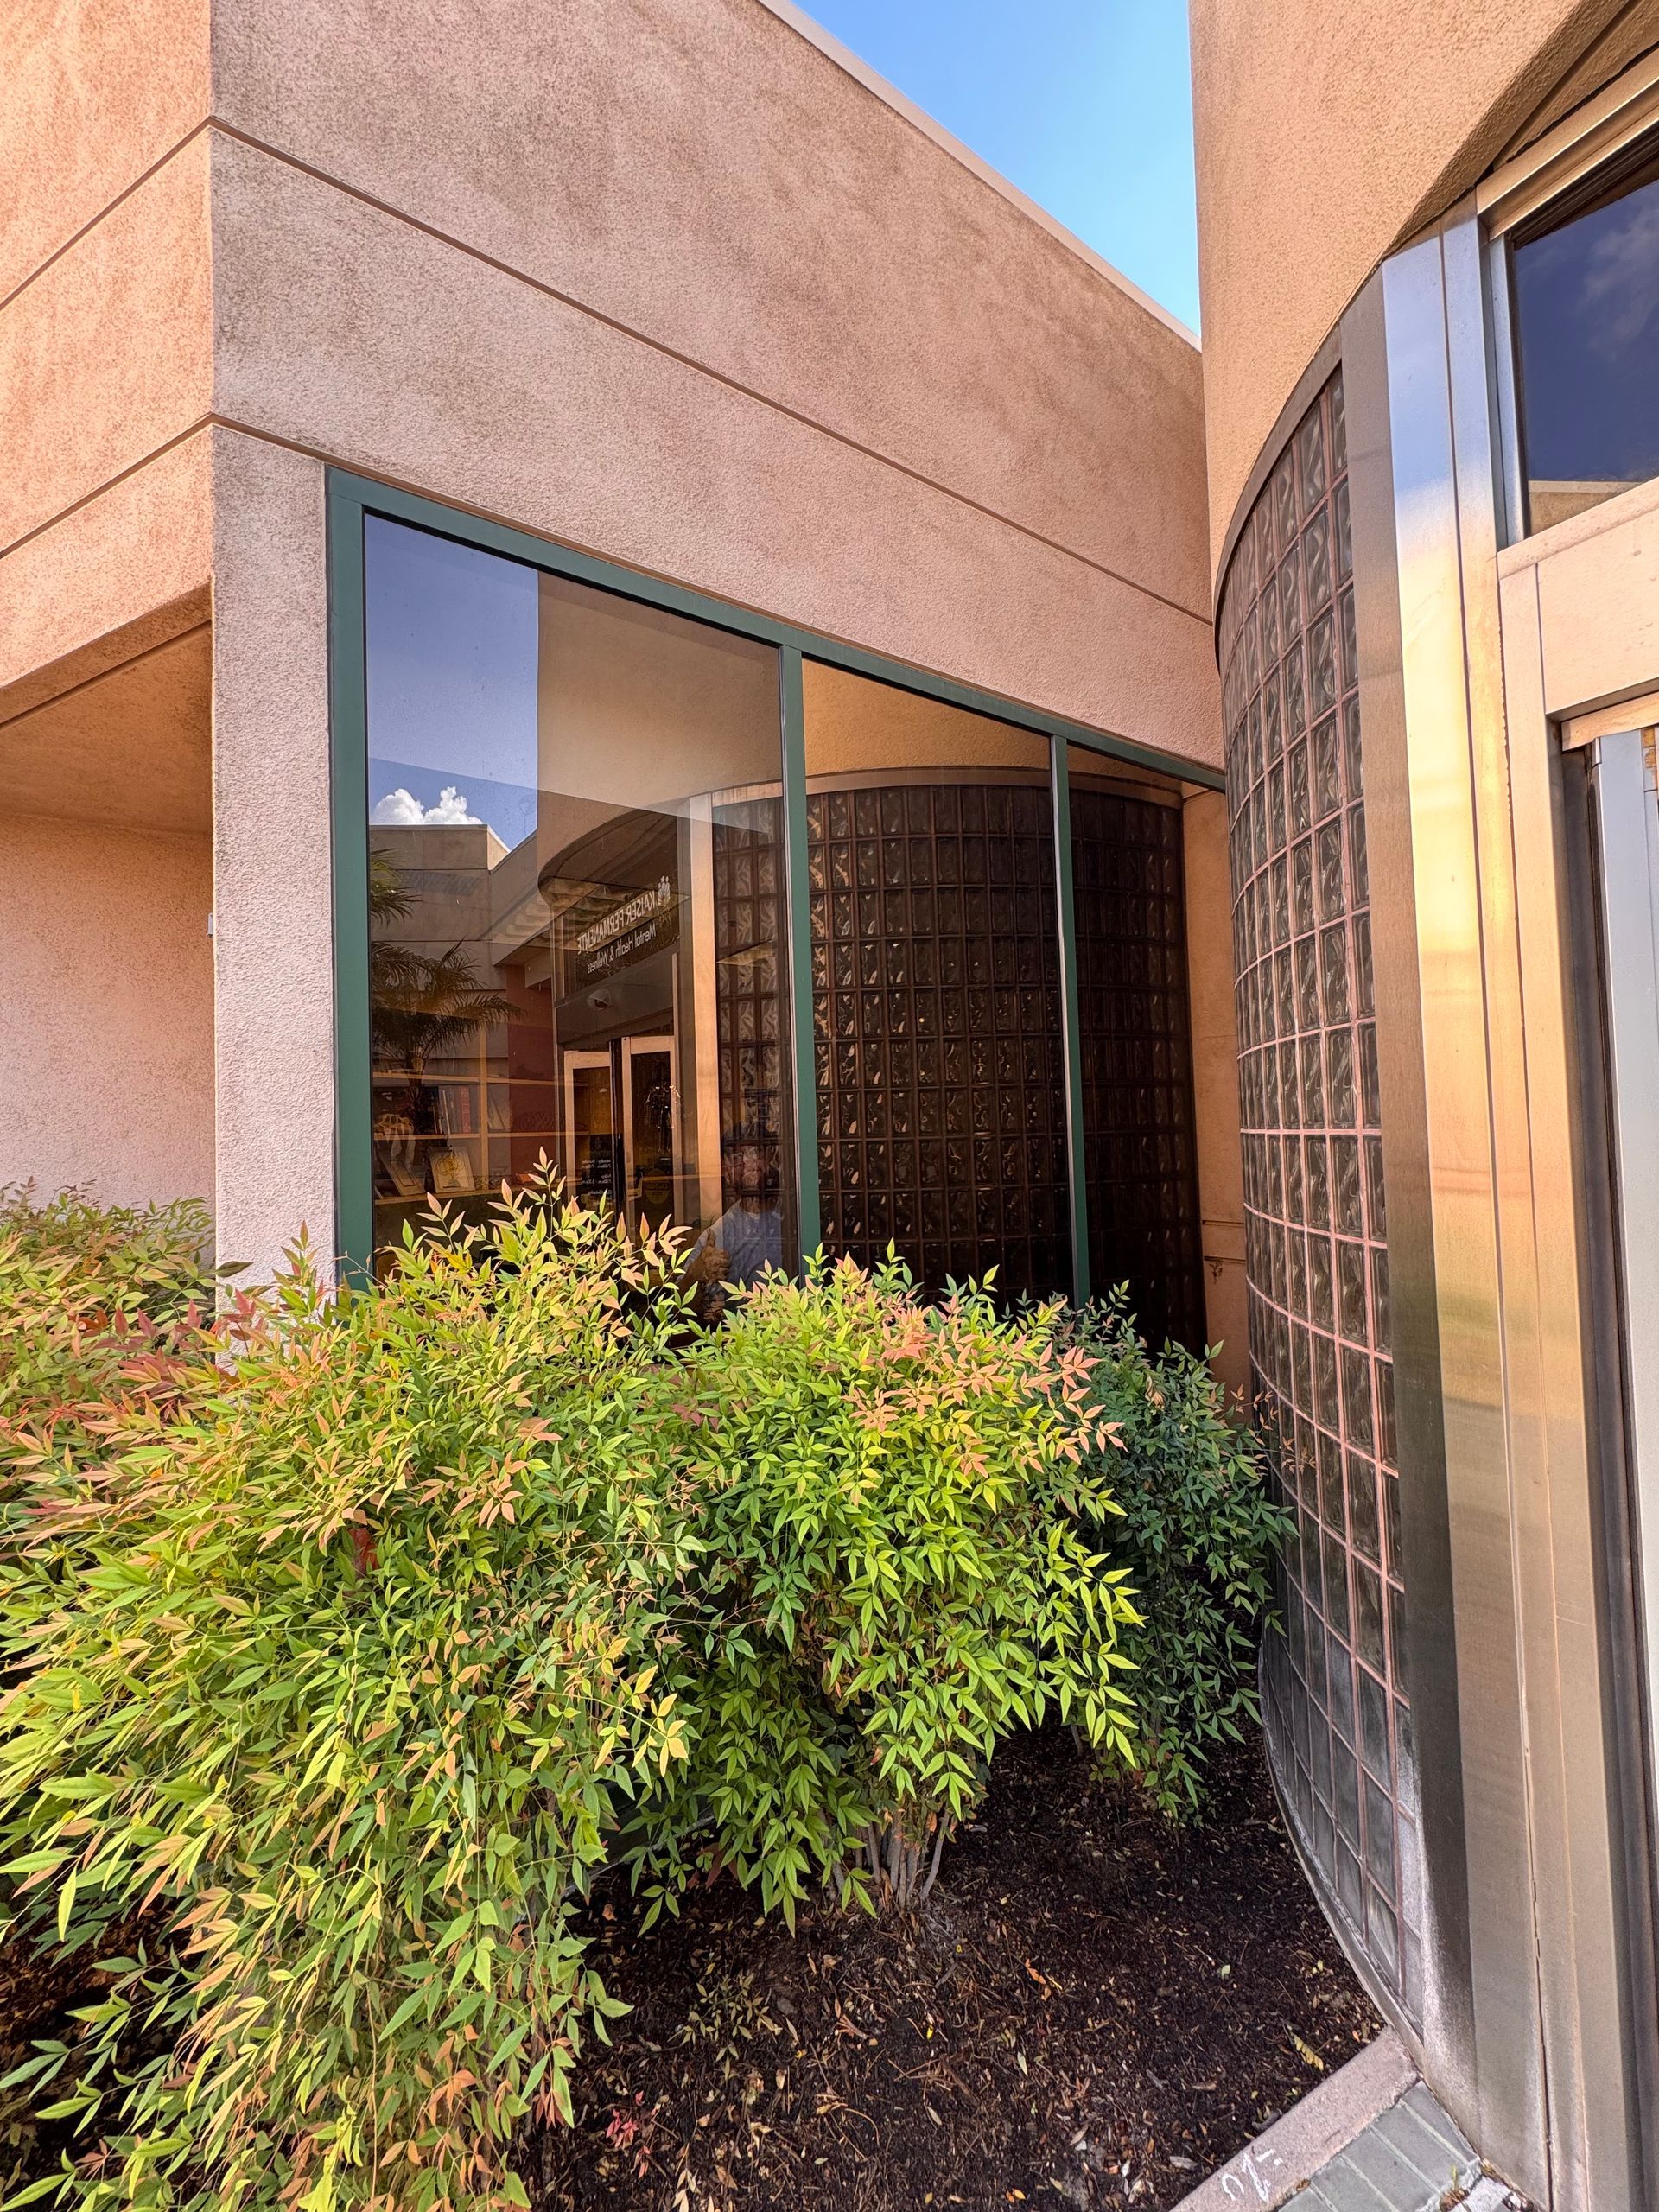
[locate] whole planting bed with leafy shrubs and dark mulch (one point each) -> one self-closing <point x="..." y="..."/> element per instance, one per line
<point x="377" y="1665"/>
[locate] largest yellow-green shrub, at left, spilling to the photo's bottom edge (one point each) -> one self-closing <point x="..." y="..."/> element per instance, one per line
<point x="342" y="1671"/>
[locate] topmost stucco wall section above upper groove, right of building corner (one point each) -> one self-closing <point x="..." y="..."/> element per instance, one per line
<point x="707" y="180"/>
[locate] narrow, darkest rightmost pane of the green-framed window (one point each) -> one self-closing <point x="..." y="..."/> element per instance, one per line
<point x="1140" y="1160"/>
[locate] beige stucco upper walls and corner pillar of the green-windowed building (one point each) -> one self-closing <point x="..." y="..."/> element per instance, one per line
<point x="656" y="278"/>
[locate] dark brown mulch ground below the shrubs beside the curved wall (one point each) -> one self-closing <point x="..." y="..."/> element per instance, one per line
<point x="1089" y="2012"/>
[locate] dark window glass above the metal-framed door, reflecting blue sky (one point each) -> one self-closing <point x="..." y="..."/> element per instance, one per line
<point x="1587" y="326"/>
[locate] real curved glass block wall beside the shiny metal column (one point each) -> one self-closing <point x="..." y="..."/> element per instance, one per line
<point x="1339" y="1724"/>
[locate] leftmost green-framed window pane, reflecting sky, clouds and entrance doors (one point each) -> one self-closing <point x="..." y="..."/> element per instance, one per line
<point x="576" y="904"/>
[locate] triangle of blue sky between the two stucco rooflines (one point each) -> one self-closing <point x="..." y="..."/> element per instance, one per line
<point x="1085" y="105"/>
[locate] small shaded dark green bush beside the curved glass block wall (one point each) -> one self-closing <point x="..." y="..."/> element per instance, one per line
<point x="1196" y="1538"/>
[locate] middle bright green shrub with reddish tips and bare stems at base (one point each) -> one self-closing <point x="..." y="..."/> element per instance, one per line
<point x="901" y="1565"/>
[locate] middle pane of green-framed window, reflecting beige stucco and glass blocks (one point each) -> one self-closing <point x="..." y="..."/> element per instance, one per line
<point x="937" y="988"/>
